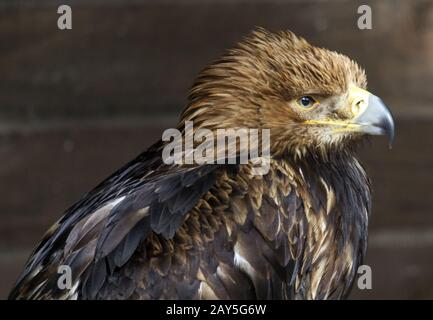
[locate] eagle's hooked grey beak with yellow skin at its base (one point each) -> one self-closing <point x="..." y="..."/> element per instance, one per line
<point x="371" y="114"/>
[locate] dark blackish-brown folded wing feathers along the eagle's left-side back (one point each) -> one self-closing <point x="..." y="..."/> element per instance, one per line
<point x="103" y="230"/>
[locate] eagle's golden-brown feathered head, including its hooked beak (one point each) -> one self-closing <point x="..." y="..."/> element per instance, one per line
<point x="312" y="99"/>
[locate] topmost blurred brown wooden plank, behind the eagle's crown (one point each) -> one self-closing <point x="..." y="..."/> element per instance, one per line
<point x="141" y="58"/>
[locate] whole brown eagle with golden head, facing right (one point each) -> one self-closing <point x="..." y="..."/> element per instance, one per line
<point x="158" y="230"/>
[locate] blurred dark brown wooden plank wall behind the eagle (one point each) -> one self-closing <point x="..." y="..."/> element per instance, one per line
<point x="75" y="105"/>
